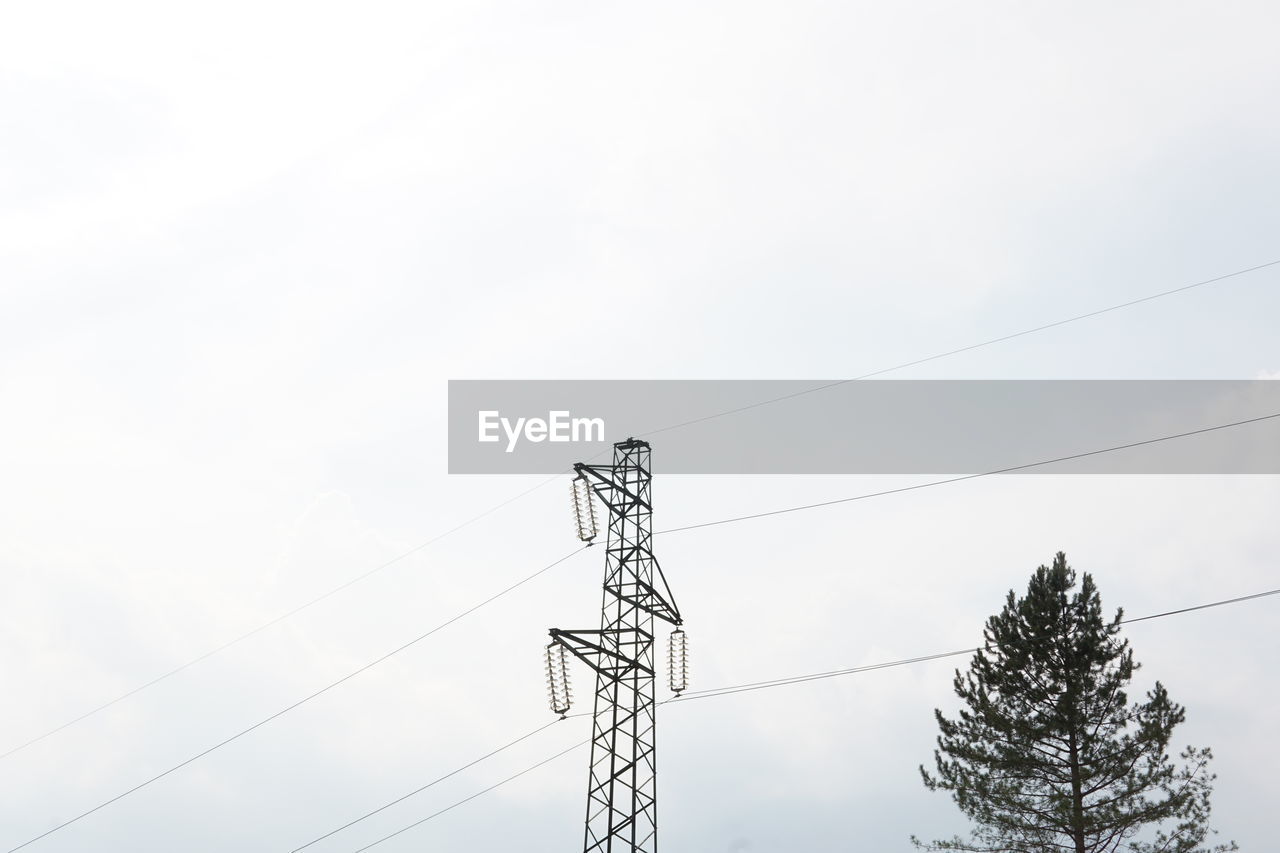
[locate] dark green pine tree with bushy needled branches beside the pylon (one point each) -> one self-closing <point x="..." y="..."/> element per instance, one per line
<point x="1050" y="755"/>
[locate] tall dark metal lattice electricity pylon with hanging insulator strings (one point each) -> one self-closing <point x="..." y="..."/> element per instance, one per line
<point x="621" y="799"/>
